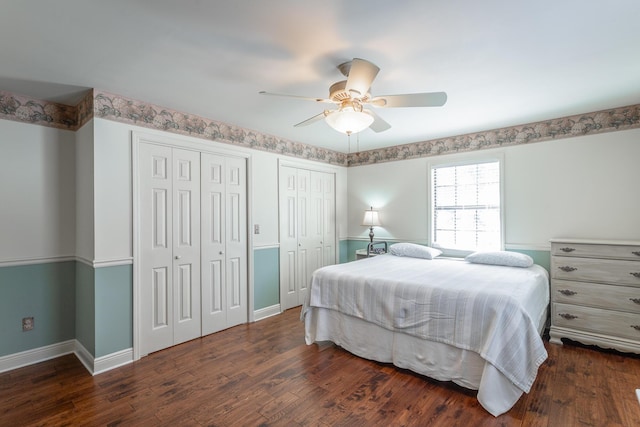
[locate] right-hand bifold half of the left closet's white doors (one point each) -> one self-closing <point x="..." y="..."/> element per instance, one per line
<point x="224" y="248"/>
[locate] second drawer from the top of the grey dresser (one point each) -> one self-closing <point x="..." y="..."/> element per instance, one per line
<point x="596" y="270"/>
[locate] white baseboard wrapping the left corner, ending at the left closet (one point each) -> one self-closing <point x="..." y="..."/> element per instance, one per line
<point x="93" y="365"/>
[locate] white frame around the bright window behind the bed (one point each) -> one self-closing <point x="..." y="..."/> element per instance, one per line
<point x="463" y="161"/>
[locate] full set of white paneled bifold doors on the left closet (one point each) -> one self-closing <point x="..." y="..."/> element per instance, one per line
<point x="192" y="244"/>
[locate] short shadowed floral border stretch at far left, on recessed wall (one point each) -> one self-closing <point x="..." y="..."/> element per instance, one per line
<point x="24" y="109"/>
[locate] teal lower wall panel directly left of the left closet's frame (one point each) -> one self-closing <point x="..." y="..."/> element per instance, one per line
<point x="113" y="309"/>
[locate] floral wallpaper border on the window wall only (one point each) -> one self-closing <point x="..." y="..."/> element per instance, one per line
<point x="582" y="124"/>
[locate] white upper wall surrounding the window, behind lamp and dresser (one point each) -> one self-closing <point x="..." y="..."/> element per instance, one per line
<point x="584" y="187"/>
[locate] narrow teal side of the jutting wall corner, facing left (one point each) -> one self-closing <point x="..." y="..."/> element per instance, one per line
<point x="85" y="308"/>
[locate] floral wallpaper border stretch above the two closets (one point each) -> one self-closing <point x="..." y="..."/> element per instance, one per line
<point x="118" y="108"/>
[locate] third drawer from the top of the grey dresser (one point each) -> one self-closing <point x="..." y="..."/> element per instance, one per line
<point x="621" y="298"/>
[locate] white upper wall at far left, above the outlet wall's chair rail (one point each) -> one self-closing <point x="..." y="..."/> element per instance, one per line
<point x="37" y="192"/>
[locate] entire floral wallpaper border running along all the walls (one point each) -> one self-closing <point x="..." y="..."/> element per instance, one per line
<point x="97" y="103"/>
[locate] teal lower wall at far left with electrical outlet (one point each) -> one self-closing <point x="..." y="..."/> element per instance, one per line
<point x="44" y="291"/>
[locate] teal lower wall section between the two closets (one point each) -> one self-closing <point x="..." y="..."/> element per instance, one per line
<point x="266" y="277"/>
